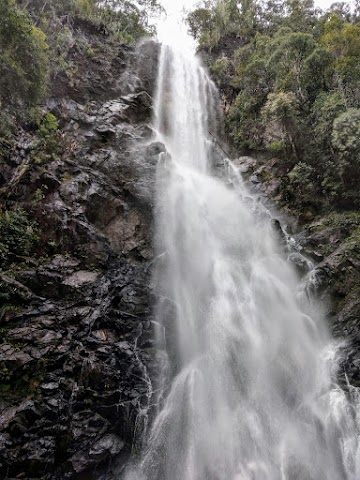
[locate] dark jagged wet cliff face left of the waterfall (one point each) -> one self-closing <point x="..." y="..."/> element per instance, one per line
<point x="76" y="353"/>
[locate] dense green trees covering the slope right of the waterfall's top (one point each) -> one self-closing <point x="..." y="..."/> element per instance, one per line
<point x="293" y="81"/>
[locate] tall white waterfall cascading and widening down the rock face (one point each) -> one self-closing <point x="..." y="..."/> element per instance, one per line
<point x="253" y="394"/>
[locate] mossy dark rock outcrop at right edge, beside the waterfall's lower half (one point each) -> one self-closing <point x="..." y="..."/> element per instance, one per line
<point x="336" y="280"/>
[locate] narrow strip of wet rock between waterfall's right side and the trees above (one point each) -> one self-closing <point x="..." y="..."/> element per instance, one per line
<point x="329" y="242"/>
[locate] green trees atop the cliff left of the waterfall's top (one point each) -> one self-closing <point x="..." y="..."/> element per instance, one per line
<point x="36" y="37"/>
